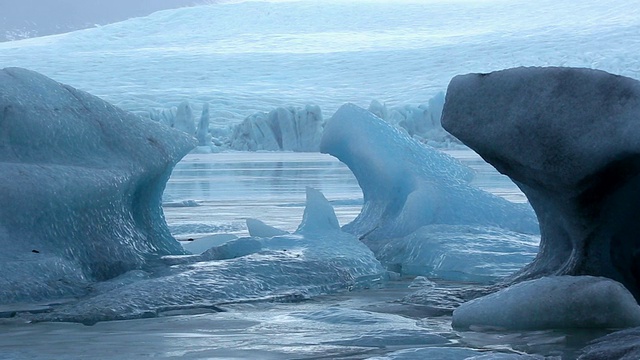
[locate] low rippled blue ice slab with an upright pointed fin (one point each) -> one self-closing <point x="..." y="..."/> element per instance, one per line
<point x="318" y="258"/>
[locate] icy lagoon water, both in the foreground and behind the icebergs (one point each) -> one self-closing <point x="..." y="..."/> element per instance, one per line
<point x="379" y="322"/>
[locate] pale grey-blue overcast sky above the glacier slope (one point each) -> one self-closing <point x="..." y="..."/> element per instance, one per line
<point x="45" y="17"/>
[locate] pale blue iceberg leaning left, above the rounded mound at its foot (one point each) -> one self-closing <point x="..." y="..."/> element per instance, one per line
<point x="407" y="185"/>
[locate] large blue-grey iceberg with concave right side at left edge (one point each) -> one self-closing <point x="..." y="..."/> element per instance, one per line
<point x="80" y="188"/>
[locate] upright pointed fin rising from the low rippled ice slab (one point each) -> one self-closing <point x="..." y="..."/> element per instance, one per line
<point x="319" y="215"/>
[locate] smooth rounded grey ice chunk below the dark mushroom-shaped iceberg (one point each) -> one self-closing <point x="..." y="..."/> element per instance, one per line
<point x="552" y="303"/>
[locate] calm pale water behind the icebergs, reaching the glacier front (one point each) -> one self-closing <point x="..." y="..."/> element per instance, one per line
<point x="232" y="186"/>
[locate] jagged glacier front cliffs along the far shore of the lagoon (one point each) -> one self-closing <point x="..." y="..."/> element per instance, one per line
<point x="294" y="128"/>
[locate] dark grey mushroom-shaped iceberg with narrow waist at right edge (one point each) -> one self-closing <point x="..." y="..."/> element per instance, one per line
<point x="569" y="138"/>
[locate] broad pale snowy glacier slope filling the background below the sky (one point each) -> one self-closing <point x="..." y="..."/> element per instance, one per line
<point x="253" y="56"/>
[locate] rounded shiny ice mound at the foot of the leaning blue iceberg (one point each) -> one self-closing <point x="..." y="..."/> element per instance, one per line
<point x="458" y="252"/>
